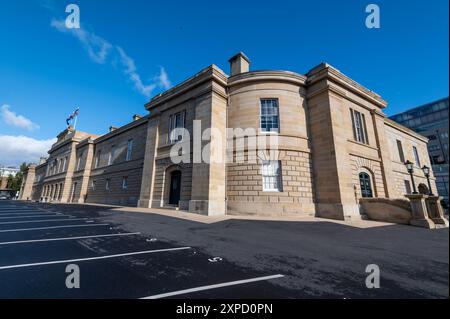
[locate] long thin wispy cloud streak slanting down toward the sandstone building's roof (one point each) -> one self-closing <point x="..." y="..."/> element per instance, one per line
<point x="100" y="51"/>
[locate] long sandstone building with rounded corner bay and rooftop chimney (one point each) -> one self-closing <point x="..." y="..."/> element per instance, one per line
<point x="330" y="132"/>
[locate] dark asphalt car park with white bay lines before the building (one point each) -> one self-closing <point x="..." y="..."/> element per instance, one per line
<point x="145" y="253"/>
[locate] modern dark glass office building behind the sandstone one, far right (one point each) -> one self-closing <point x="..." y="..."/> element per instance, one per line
<point x="431" y="120"/>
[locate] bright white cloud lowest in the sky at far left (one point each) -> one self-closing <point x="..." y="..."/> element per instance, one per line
<point x="19" y="149"/>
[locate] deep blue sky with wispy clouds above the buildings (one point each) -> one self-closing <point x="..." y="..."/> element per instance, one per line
<point x="46" y="71"/>
